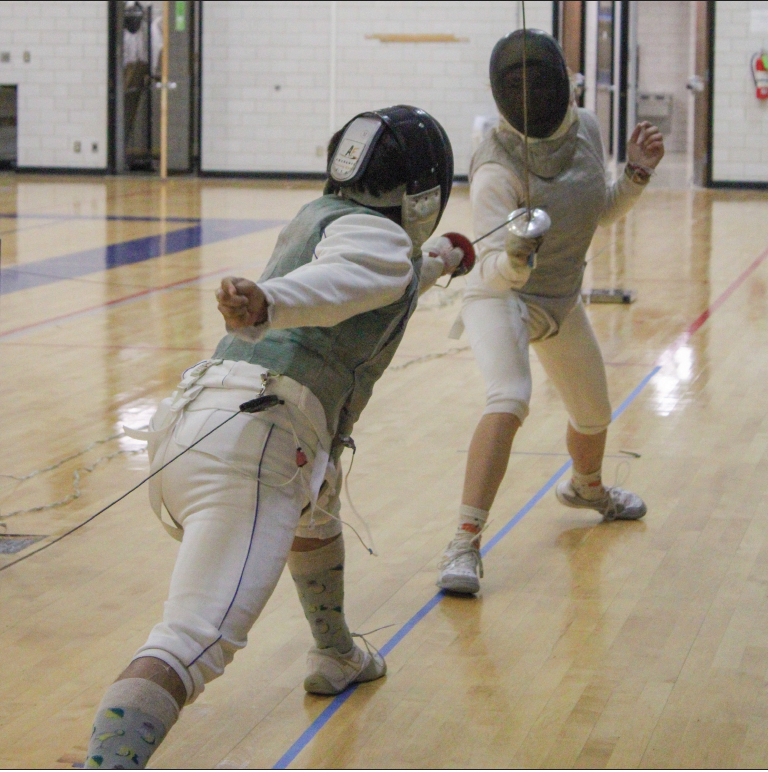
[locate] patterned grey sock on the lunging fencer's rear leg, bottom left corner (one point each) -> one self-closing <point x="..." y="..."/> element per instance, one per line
<point x="132" y="720"/>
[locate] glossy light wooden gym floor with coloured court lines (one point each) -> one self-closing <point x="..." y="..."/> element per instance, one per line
<point x="638" y="644"/>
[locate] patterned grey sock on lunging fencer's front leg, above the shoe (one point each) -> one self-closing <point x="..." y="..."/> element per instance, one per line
<point x="319" y="579"/>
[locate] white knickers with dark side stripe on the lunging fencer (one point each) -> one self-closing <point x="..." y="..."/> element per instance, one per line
<point x="238" y="496"/>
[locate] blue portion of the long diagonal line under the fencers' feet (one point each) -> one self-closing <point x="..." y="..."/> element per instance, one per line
<point x="309" y="734"/>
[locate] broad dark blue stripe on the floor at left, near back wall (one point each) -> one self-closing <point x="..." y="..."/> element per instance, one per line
<point x="77" y="264"/>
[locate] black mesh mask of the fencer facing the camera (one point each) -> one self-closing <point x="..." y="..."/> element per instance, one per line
<point x="549" y="87"/>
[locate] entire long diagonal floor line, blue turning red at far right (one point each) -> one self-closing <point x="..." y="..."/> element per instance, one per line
<point x="330" y="710"/>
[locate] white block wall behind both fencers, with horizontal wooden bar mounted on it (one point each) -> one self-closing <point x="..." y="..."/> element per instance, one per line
<point x="277" y="76"/>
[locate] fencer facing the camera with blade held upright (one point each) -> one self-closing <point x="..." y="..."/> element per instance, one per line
<point x="528" y="290"/>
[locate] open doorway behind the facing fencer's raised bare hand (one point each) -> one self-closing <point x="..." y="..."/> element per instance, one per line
<point x="650" y="61"/>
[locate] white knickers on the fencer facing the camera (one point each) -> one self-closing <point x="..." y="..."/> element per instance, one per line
<point x="500" y="327"/>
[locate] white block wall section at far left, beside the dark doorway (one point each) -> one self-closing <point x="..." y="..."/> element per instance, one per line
<point x="62" y="89"/>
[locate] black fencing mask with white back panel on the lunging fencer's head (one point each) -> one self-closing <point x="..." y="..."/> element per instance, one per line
<point x="428" y="160"/>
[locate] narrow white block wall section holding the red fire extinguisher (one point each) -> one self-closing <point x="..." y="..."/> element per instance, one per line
<point x="740" y="131"/>
